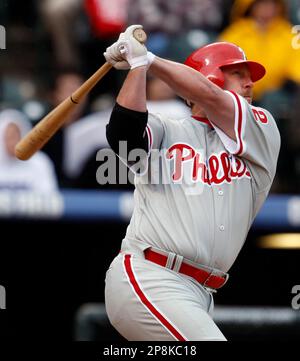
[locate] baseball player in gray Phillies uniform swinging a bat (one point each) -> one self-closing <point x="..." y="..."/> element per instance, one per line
<point x="185" y="233"/>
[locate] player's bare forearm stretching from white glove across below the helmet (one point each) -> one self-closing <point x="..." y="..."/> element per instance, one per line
<point x="185" y="81"/>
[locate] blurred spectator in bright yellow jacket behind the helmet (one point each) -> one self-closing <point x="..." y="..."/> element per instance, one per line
<point x="262" y="29"/>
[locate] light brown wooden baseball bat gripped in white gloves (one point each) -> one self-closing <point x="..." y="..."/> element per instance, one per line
<point x="49" y="125"/>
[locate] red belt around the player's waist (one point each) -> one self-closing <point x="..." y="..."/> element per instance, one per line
<point x="206" y="278"/>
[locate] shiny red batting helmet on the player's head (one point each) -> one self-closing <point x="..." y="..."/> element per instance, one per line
<point x="210" y="59"/>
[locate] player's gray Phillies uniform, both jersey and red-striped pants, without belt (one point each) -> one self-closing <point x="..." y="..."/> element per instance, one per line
<point x="197" y="199"/>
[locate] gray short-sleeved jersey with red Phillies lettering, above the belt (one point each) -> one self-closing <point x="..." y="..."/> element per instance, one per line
<point x="213" y="187"/>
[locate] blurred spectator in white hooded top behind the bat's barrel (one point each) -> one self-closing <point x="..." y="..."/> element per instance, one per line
<point x="37" y="173"/>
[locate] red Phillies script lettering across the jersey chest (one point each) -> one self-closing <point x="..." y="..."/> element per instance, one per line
<point x="217" y="169"/>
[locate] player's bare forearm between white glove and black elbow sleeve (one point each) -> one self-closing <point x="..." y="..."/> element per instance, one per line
<point x="133" y="92"/>
